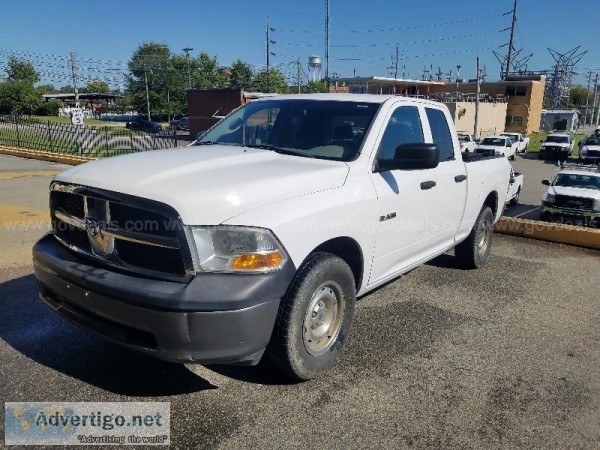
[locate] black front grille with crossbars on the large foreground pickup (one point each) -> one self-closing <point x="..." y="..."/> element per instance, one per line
<point x="118" y="230"/>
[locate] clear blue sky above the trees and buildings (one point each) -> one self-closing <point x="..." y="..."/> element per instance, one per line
<point x="430" y="34"/>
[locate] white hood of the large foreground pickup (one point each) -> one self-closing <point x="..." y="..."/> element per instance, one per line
<point x="209" y="184"/>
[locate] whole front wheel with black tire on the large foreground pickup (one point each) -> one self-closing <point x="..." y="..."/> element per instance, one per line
<point x="326" y="278"/>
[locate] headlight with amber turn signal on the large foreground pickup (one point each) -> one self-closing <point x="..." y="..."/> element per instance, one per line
<point x="235" y="249"/>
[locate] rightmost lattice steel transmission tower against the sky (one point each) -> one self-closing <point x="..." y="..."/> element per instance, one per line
<point x="559" y="81"/>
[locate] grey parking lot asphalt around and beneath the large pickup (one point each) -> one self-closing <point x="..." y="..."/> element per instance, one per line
<point x="506" y="356"/>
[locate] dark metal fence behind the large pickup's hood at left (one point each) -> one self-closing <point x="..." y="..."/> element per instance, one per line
<point x="91" y="141"/>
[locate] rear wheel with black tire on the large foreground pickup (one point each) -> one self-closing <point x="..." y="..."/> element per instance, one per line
<point x="473" y="252"/>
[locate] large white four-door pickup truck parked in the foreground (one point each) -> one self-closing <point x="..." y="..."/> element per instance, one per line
<point x="259" y="238"/>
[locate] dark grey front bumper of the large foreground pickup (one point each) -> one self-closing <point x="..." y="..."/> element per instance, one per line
<point x="214" y="318"/>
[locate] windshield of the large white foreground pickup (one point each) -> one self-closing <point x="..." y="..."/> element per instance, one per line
<point x="325" y="129"/>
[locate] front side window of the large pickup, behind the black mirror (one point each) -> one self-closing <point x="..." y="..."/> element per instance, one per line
<point x="404" y="127"/>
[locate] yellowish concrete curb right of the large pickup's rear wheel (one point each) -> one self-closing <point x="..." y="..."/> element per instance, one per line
<point x="554" y="232"/>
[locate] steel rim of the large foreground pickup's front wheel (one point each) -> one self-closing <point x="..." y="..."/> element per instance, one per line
<point x="323" y="319"/>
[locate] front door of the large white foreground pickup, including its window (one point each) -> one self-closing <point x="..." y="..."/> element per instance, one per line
<point x="406" y="198"/>
